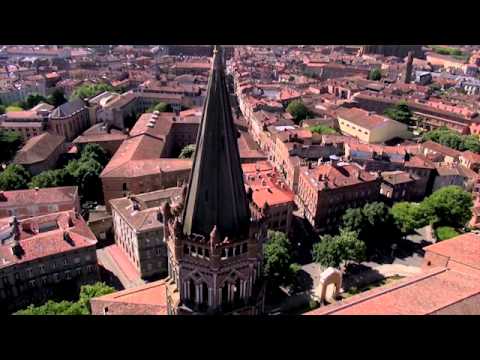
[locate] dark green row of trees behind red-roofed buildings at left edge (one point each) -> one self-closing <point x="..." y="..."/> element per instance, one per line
<point x="83" y="172"/>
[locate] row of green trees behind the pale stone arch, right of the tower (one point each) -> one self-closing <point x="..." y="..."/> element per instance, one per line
<point x="375" y="226"/>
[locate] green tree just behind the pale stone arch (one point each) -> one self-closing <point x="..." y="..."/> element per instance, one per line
<point x="333" y="251"/>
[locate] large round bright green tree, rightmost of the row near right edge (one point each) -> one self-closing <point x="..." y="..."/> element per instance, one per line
<point x="451" y="206"/>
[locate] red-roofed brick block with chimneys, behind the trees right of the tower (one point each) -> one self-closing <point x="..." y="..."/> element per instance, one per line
<point x="327" y="190"/>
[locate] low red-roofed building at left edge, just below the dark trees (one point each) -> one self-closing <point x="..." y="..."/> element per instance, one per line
<point x="35" y="202"/>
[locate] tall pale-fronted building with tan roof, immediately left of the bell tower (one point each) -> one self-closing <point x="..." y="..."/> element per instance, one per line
<point x="138" y="230"/>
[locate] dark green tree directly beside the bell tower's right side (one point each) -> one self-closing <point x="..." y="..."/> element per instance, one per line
<point x="278" y="265"/>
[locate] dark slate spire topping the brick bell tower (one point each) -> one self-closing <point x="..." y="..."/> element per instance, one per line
<point x="216" y="193"/>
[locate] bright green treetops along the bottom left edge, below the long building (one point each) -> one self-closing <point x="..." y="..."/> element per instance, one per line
<point x="79" y="307"/>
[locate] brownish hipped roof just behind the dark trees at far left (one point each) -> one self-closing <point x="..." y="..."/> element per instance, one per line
<point x="38" y="148"/>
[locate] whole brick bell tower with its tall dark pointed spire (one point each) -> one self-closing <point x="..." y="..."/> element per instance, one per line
<point x="215" y="249"/>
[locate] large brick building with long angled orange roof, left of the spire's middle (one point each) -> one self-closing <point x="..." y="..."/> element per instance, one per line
<point x="144" y="162"/>
